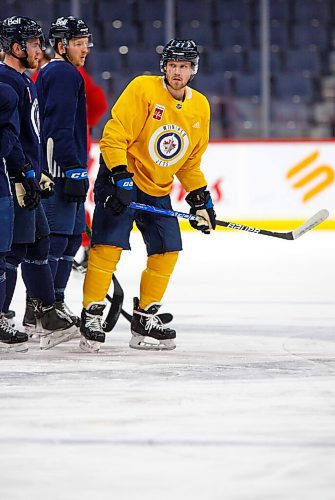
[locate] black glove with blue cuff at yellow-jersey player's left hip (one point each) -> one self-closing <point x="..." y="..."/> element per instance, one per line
<point x="120" y="190"/>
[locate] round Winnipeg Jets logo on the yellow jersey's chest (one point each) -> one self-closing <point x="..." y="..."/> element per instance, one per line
<point x="168" y="145"/>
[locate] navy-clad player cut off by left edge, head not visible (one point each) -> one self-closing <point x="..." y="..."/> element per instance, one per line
<point x="10" y="338"/>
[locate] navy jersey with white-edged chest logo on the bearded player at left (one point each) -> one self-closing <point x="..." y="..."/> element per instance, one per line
<point x="29" y="117"/>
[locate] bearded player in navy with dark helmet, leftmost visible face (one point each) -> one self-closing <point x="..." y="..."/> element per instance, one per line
<point x="22" y="40"/>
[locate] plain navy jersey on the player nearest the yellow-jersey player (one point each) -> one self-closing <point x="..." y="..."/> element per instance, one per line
<point x="61" y="95"/>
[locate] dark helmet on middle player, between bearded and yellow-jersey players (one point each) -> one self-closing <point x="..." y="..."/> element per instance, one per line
<point x="66" y="28"/>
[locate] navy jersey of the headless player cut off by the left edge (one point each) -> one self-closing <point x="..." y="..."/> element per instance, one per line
<point x="9" y="135"/>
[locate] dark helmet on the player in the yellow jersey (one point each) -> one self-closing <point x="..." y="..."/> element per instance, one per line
<point x="180" y="50"/>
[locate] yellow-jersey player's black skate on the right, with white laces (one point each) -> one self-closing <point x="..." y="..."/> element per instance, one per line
<point x="146" y="324"/>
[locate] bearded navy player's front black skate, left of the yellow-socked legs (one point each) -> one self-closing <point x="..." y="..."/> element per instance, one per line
<point x="53" y="325"/>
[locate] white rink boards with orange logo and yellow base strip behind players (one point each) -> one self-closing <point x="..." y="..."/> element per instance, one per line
<point x="276" y="183"/>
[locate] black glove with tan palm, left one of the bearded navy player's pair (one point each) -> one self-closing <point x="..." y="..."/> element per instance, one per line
<point x="27" y="189"/>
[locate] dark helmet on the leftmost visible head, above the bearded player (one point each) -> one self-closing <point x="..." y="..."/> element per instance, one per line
<point x="19" y="29"/>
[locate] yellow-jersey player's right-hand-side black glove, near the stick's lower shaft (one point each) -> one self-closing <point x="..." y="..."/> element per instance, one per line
<point x="201" y="205"/>
